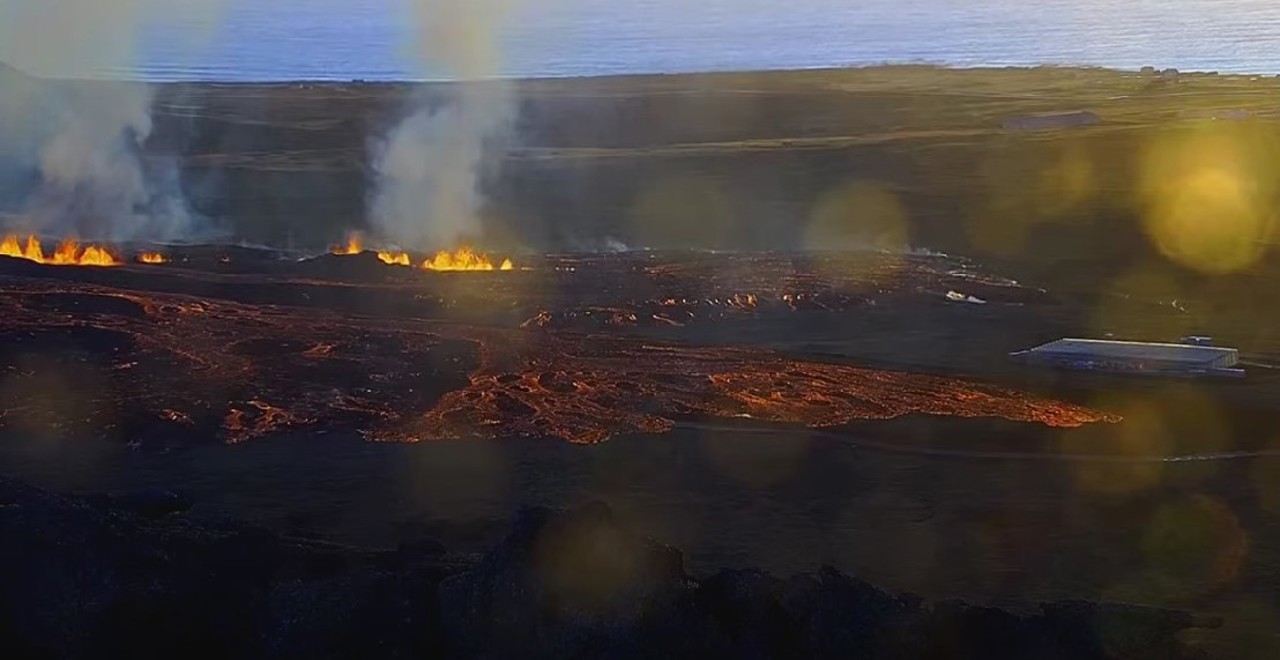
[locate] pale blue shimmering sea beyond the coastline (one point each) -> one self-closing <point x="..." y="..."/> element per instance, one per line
<point x="377" y="40"/>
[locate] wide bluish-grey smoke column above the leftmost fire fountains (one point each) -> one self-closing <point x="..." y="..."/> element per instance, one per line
<point x="83" y="140"/>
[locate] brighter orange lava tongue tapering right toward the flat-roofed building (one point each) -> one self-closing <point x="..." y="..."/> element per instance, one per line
<point x="587" y="389"/>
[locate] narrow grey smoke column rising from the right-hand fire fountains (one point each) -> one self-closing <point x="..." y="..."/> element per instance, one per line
<point x="428" y="169"/>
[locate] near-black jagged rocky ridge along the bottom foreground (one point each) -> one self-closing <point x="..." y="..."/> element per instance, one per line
<point x="134" y="577"/>
